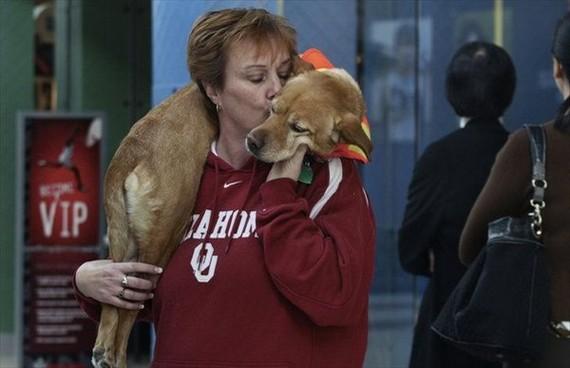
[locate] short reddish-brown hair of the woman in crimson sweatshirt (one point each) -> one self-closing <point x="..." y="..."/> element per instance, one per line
<point x="216" y="31"/>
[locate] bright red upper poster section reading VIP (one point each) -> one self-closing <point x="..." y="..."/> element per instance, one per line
<point x="63" y="182"/>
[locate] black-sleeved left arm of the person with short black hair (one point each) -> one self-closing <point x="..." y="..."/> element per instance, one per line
<point x="423" y="214"/>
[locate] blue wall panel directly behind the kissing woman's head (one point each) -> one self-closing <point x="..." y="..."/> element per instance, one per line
<point x="329" y="25"/>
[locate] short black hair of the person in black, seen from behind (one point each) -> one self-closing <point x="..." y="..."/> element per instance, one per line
<point x="480" y="80"/>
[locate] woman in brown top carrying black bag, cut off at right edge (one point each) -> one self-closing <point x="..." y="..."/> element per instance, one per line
<point x="507" y="191"/>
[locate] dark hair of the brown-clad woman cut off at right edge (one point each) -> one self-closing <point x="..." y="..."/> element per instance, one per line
<point x="561" y="52"/>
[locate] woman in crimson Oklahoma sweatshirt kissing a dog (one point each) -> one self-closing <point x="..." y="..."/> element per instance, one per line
<point x="256" y="282"/>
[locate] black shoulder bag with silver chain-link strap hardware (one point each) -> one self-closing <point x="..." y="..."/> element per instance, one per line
<point x="500" y="308"/>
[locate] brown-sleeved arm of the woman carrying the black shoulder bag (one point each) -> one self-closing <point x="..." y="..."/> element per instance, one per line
<point x="504" y="194"/>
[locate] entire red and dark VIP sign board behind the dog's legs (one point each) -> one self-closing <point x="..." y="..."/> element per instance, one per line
<point x="62" y="229"/>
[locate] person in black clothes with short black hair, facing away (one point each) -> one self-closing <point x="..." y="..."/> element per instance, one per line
<point x="447" y="178"/>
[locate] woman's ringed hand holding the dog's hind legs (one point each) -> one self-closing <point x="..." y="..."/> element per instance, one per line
<point x="115" y="283"/>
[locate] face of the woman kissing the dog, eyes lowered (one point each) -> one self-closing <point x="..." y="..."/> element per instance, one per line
<point x="252" y="77"/>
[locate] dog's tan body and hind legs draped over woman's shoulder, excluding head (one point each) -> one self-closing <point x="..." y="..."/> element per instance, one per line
<point x="150" y="190"/>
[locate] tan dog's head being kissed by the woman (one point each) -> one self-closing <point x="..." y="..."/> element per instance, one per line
<point x="317" y="108"/>
